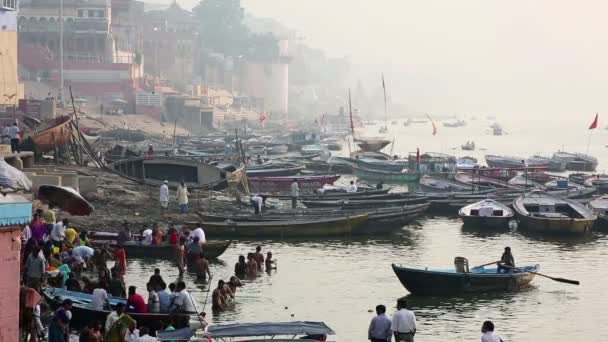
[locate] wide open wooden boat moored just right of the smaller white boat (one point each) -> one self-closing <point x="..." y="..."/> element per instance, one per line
<point x="539" y="211"/>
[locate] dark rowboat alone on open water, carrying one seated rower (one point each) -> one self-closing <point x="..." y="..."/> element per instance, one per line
<point x="448" y="282"/>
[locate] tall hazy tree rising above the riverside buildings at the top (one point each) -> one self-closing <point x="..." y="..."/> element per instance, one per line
<point x="221" y="26"/>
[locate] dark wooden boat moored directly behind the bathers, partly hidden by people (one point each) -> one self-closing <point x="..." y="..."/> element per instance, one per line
<point x="212" y="250"/>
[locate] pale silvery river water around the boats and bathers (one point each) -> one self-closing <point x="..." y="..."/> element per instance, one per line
<point x="339" y="281"/>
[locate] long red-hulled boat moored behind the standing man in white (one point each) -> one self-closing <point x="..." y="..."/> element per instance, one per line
<point x="307" y="184"/>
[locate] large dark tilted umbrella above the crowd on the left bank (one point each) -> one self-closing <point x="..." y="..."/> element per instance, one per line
<point x="66" y="199"/>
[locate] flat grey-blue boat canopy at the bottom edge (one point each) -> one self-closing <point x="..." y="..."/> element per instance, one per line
<point x="269" y="329"/>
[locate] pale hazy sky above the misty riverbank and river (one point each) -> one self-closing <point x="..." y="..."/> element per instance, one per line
<point x="467" y="56"/>
